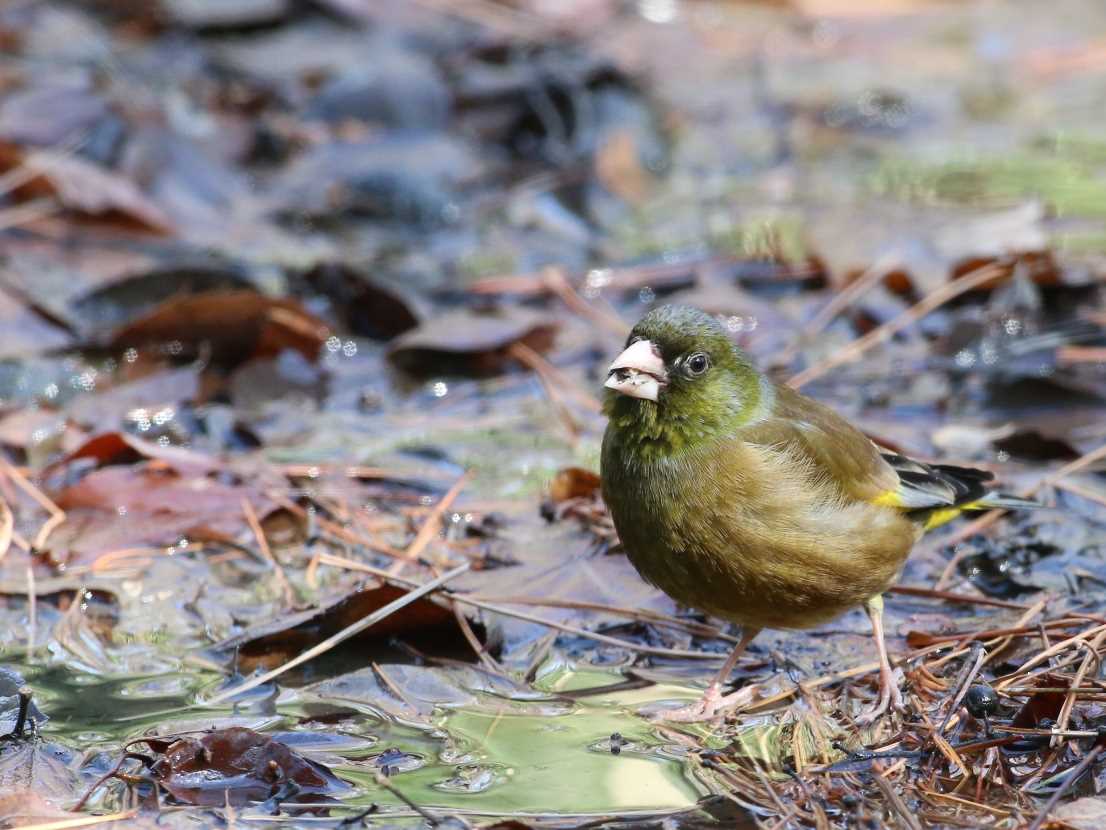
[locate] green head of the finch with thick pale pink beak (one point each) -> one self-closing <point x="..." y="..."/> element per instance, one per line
<point x="681" y="371"/>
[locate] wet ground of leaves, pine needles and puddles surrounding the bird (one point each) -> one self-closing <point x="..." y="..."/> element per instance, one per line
<point x="299" y="418"/>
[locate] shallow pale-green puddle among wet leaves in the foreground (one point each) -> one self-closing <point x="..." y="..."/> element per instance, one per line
<point x="547" y="756"/>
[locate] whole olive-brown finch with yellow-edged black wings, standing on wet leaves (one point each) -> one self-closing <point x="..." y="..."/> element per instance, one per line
<point x="755" y="504"/>
